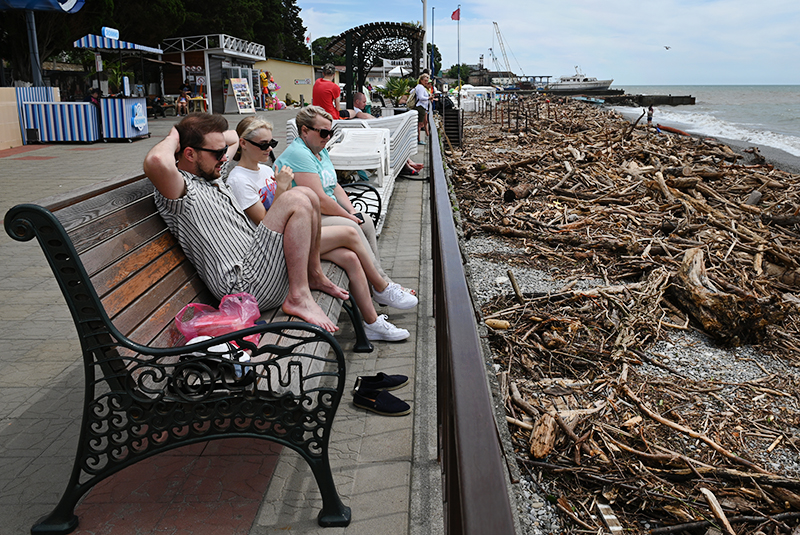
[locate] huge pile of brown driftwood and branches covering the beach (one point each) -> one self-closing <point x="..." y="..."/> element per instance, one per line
<point x="686" y="234"/>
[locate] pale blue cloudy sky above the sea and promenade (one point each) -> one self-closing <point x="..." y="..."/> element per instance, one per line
<point x="711" y="41"/>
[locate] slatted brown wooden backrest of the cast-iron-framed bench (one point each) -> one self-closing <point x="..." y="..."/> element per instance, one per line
<point x="136" y="266"/>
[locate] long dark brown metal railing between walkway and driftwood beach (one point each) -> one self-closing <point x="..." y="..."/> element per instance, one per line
<point x="475" y="491"/>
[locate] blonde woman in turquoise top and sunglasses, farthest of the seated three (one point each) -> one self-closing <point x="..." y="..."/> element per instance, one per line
<point x="312" y="168"/>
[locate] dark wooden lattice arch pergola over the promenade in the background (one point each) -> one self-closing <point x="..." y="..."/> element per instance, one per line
<point x="362" y="45"/>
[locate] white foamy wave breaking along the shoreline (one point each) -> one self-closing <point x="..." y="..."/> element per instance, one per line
<point x="708" y="125"/>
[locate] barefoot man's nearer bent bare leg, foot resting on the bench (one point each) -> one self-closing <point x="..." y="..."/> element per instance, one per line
<point x="291" y="215"/>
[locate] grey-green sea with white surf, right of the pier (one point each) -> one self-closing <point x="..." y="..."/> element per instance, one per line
<point x="766" y="115"/>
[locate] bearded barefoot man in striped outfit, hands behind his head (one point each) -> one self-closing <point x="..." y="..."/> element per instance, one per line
<point x="276" y="261"/>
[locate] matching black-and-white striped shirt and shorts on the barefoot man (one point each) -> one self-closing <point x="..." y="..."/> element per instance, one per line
<point x="229" y="252"/>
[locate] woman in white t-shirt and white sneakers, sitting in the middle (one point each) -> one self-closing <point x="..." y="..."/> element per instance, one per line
<point x="255" y="186"/>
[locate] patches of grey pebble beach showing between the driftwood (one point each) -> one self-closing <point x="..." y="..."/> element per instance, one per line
<point x="687" y="355"/>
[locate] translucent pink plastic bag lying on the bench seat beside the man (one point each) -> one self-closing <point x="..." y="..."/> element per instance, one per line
<point x="237" y="311"/>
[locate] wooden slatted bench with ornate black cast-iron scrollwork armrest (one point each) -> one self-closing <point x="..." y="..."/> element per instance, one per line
<point x="124" y="278"/>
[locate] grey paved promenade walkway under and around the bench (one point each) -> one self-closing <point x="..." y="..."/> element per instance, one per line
<point x="385" y="468"/>
